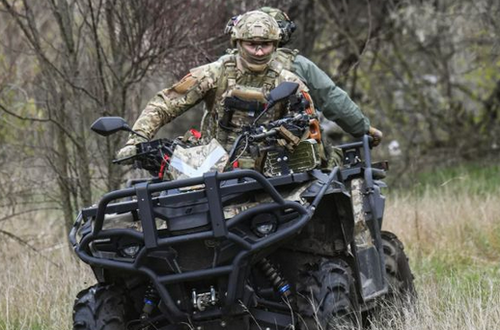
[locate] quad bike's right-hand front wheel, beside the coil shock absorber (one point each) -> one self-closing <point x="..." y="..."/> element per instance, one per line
<point x="327" y="298"/>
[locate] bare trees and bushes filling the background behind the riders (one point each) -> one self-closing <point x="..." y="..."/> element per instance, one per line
<point x="426" y="73"/>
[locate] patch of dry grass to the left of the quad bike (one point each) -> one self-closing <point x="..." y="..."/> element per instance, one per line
<point x="37" y="289"/>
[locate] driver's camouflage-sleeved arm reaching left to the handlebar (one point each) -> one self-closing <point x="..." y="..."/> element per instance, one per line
<point x="170" y="103"/>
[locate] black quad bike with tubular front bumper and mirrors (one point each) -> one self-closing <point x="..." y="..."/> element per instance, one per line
<point x="220" y="247"/>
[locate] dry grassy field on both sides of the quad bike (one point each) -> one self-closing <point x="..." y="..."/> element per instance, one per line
<point x="449" y="222"/>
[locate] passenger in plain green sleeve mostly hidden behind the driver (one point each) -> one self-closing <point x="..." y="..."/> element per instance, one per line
<point x="334" y="103"/>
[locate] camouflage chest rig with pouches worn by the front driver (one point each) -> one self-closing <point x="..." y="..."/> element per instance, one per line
<point x="239" y="99"/>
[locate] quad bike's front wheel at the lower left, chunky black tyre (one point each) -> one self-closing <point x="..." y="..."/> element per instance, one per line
<point x="102" y="307"/>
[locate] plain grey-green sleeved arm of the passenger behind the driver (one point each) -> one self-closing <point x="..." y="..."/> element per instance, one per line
<point x="334" y="102"/>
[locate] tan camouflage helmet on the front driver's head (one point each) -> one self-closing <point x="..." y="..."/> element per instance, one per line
<point x="255" y="25"/>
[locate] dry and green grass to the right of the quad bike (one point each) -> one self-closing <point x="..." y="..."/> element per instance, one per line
<point x="453" y="240"/>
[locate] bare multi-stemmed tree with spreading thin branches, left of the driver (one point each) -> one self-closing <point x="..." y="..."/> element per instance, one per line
<point x="91" y="57"/>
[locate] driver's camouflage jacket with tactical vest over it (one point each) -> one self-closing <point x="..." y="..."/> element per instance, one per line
<point x="214" y="83"/>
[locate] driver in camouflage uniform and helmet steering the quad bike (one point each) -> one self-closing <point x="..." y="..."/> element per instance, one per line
<point x="248" y="75"/>
